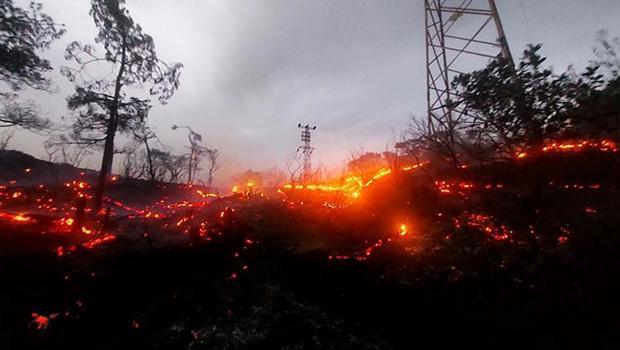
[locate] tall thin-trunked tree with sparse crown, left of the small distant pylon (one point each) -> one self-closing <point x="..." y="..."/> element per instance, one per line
<point x="102" y="104"/>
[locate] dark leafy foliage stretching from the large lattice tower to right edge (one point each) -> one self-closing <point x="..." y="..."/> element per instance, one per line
<point x="509" y="108"/>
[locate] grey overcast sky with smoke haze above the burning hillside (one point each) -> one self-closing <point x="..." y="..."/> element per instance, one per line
<point x="355" y="68"/>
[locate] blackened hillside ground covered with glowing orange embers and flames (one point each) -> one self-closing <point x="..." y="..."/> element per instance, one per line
<point x="402" y="260"/>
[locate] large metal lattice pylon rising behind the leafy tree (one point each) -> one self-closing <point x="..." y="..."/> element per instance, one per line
<point x="459" y="38"/>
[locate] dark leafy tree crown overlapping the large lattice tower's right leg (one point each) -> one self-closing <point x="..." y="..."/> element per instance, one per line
<point x="513" y="107"/>
